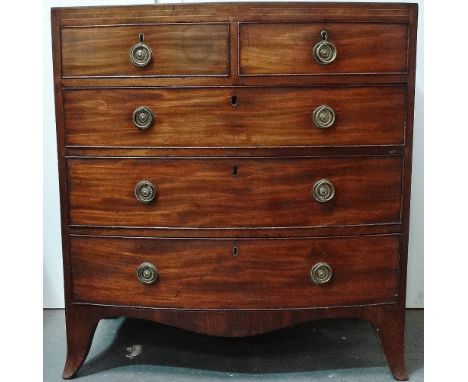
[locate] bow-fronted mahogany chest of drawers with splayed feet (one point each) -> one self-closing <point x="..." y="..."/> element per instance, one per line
<point x="233" y="169"/>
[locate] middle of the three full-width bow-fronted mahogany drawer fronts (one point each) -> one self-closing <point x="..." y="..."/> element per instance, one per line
<point x="234" y="192"/>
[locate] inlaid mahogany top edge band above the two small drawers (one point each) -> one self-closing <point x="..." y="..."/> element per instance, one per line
<point x="291" y="11"/>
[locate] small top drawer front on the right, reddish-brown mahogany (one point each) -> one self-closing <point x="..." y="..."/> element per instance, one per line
<point x="287" y="48"/>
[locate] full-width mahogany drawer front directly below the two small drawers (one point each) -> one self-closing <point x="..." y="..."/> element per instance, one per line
<point x="261" y="117"/>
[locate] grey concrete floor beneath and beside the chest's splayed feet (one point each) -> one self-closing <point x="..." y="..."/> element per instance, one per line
<point x="334" y="350"/>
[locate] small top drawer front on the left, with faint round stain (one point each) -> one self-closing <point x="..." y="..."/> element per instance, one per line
<point x="177" y="50"/>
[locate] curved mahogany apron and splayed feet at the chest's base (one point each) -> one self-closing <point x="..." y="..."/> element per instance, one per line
<point x="237" y="323"/>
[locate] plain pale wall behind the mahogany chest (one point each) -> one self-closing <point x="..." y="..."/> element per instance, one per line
<point x="52" y="260"/>
